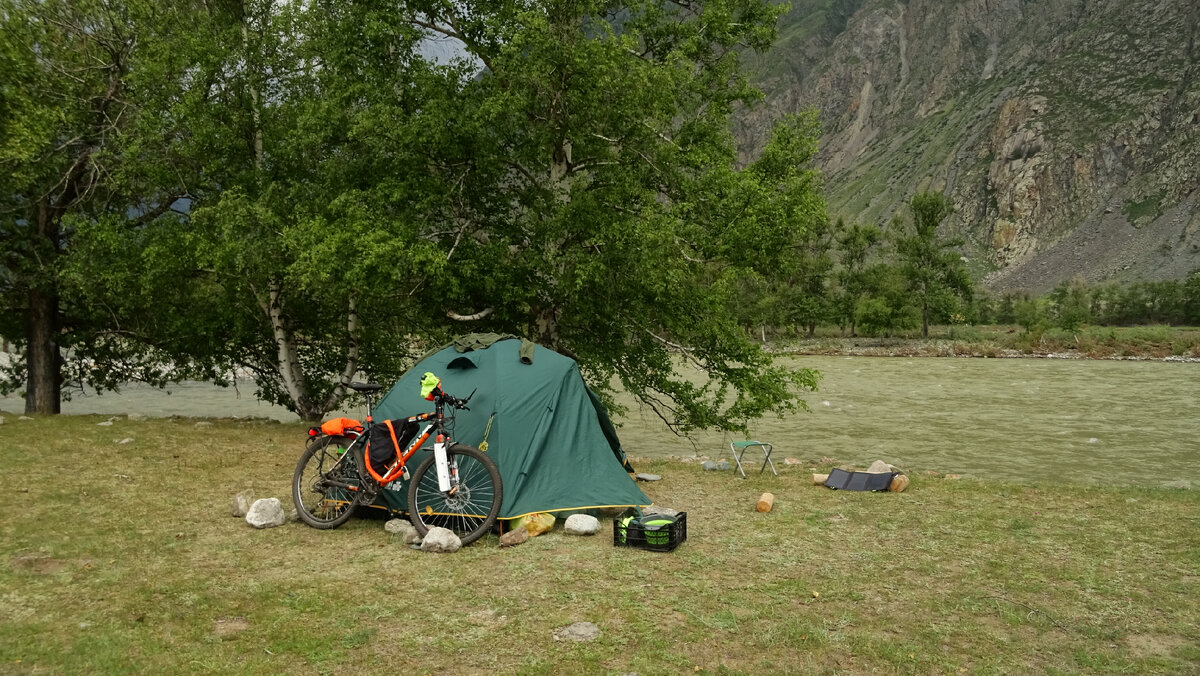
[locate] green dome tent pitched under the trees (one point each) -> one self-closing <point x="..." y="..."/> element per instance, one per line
<point x="548" y="433"/>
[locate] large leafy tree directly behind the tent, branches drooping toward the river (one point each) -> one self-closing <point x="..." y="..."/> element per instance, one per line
<point x="597" y="202"/>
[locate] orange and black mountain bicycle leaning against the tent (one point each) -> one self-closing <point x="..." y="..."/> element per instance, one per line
<point x="458" y="487"/>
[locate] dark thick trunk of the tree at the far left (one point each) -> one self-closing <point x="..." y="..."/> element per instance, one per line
<point x="44" y="387"/>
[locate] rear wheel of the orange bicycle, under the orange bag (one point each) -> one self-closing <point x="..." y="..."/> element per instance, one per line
<point x="320" y="505"/>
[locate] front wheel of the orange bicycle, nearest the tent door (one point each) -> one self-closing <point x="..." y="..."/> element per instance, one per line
<point x="470" y="509"/>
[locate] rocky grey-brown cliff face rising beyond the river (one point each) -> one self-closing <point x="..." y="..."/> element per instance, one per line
<point x="1067" y="133"/>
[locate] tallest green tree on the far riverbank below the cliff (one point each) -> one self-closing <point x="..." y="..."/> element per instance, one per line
<point x="934" y="271"/>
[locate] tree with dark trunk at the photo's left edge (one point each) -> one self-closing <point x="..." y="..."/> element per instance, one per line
<point x="65" y="71"/>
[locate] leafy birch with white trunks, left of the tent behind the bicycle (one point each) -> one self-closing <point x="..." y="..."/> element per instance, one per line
<point x="297" y="224"/>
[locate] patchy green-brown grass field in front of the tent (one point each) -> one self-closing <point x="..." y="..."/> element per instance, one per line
<point x="123" y="558"/>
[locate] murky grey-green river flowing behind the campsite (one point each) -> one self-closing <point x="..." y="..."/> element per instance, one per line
<point x="1024" y="420"/>
